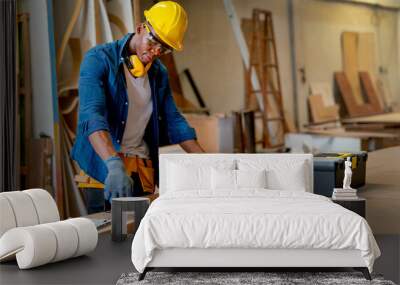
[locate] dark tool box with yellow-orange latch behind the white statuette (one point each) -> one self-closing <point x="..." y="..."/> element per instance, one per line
<point x="329" y="171"/>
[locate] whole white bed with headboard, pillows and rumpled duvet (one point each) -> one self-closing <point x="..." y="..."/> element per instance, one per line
<point x="226" y="217"/>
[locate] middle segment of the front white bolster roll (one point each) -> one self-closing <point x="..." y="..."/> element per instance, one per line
<point x="67" y="240"/>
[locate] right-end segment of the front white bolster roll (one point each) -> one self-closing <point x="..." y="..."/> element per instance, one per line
<point x="87" y="235"/>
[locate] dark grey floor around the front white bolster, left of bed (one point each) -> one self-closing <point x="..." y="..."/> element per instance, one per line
<point x="102" y="266"/>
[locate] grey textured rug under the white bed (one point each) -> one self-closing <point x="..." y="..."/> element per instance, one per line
<point x="231" y="278"/>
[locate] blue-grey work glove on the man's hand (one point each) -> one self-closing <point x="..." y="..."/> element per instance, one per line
<point x="117" y="183"/>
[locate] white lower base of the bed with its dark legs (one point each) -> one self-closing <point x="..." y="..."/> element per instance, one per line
<point x="250" y="259"/>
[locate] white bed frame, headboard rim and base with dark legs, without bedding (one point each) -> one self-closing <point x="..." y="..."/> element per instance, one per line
<point x="246" y="259"/>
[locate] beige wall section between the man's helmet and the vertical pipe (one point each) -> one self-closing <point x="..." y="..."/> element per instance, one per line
<point x="213" y="57"/>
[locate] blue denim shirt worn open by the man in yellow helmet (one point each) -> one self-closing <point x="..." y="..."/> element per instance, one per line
<point x="103" y="105"/>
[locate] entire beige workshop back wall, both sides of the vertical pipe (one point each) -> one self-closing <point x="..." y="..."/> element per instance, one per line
<point x="212" y="54"/>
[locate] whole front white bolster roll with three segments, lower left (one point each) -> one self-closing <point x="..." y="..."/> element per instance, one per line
<point x="37" y="245"/>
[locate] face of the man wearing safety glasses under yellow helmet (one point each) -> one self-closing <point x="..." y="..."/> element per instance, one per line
<point x="149" y="47"/>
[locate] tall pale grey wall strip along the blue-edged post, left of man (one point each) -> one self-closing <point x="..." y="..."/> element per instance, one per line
<point x="40" y="66"/>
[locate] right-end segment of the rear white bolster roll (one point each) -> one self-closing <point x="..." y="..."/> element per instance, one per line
<point x="45" y="206"/>
